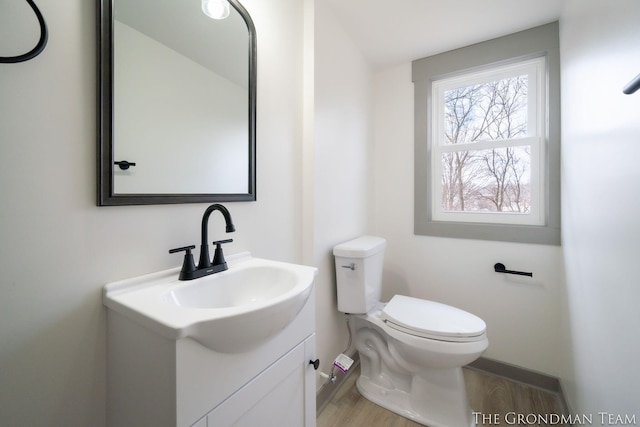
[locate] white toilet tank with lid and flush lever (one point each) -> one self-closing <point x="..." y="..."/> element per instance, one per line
<point x="359" y="273"/>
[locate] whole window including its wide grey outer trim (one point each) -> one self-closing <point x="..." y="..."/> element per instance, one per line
<point x="487" y="140"/>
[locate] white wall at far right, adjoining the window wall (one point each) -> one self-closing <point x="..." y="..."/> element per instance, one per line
<point x="601" y="230"/>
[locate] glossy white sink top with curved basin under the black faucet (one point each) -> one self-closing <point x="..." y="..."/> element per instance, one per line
<point x="230" y="312"/>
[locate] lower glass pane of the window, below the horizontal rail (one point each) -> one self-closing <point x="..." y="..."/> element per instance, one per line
<point x="495" y="180"/>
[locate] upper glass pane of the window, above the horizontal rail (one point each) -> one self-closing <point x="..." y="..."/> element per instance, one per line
<point x="495" y="110"/>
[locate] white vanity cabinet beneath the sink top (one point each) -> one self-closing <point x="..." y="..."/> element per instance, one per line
<point x="156" y="381"/>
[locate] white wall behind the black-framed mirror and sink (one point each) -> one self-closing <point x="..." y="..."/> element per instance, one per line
<point x="57" y="249"/>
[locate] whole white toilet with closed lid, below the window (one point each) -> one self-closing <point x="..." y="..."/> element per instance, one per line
<point x="411" y="350"/>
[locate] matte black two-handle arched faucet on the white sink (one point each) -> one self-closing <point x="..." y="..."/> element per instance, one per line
<point x="205" y="266"/>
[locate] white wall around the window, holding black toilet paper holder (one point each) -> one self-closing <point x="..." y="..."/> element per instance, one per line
<point x="522" y="314"/>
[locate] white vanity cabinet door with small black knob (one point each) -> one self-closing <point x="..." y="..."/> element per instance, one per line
<point x="276" y="397"/>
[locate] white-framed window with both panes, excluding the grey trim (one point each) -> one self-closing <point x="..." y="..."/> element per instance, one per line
<point x="488" y="146"/>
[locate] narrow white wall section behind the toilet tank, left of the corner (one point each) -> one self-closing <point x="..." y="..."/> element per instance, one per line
<point x="341" y="162"/>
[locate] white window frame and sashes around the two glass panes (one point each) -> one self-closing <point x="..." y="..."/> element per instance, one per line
<point x="535" y="138"/>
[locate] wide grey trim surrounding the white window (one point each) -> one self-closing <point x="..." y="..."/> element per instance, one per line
<point x="538" y="42"/>
